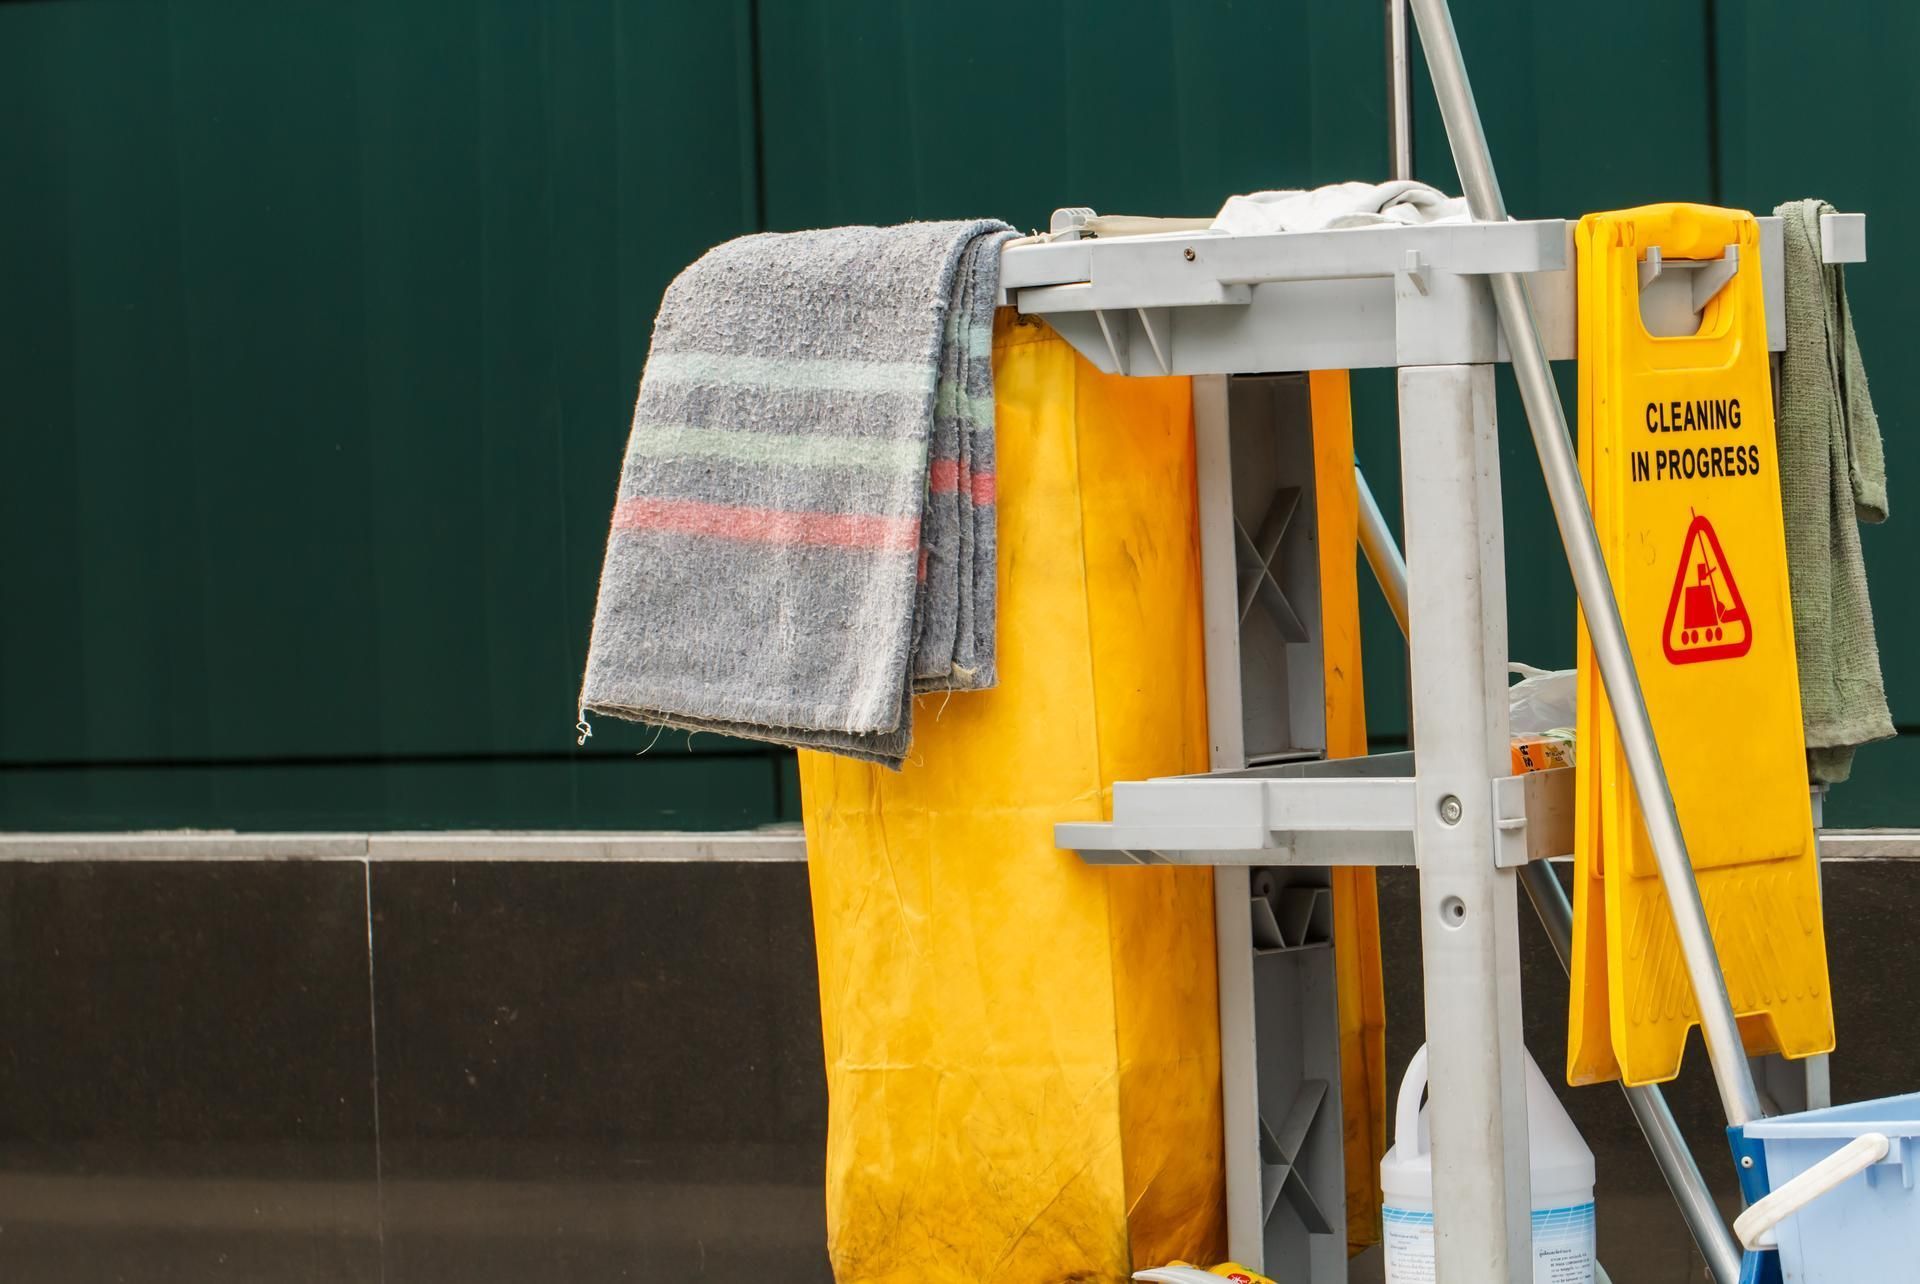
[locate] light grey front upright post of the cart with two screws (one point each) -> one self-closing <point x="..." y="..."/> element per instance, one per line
<point x="1470" y="932"/>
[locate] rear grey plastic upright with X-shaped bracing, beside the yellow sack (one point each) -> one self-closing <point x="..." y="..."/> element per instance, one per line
<point x="1266" y="701"/>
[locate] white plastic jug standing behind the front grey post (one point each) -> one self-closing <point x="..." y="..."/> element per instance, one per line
<point x="1562" y="1176"/>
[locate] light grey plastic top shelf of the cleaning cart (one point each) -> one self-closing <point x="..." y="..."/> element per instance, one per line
<point x="1118" y="283"/>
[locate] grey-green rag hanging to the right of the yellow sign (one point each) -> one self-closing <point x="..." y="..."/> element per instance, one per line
<point x="1833" y="477"/>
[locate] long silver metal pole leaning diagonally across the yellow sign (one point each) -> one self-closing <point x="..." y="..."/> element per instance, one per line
<point x="1554" y="446"/>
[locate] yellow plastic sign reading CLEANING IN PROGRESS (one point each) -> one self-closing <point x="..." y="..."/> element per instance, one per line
<point x="1677" y="448"/>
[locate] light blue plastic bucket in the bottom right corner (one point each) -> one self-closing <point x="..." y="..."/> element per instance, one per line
<point x="1865" y="1229"/>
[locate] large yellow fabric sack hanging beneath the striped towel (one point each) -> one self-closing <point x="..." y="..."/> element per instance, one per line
<point x="1024" y="1051"/>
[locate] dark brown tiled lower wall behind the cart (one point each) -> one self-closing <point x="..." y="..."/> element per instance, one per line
<point x="558" y="1072"/>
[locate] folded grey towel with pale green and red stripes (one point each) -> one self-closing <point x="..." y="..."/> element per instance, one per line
<point x="804" y="535"/>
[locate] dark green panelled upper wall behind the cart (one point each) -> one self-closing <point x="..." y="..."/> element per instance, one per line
<point x="322" y="321"/>
